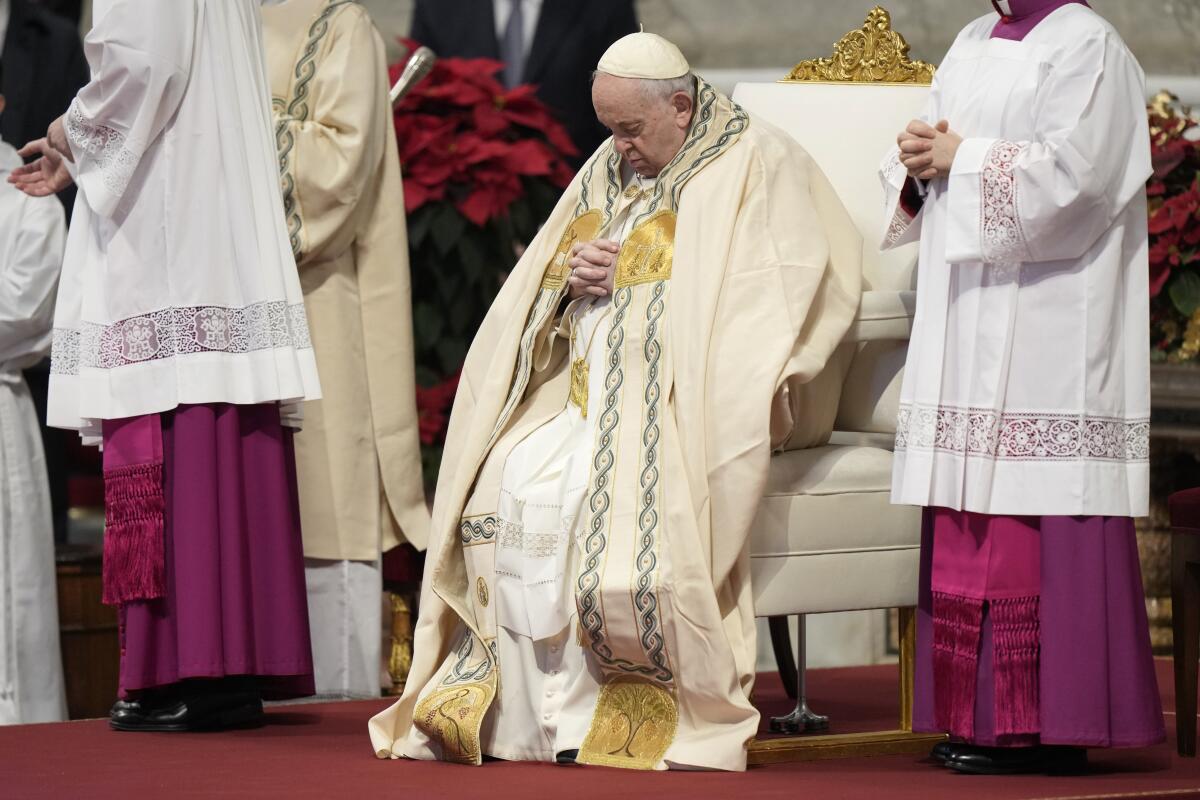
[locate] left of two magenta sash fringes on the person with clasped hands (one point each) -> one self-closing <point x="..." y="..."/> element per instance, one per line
<point x="957" y="624"/>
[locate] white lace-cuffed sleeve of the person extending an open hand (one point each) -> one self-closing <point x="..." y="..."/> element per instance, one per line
<point x="141" y="53"/>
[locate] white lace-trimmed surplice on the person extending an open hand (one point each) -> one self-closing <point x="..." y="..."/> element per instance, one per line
<point x="179" y="285"/>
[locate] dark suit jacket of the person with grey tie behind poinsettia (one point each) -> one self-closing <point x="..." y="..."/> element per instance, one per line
<point x="572" y="37"/>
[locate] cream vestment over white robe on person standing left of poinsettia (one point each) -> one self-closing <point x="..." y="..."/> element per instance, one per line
<point x="358" y="458"/>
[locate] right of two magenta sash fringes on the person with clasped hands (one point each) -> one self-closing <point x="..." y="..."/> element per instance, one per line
<point x="1016" y="647"/>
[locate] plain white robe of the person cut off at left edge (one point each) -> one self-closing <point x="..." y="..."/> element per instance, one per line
<point x="32" y="236"/>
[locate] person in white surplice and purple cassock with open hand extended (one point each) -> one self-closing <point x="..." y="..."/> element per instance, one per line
<point x="182" y="344"/>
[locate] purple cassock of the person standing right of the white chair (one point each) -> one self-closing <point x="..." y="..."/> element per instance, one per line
<point x="1033" y="630"/>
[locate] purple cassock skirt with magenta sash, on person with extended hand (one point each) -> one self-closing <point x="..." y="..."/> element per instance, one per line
<point x="203" y="551"/>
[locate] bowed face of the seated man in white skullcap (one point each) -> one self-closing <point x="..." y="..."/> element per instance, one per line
<point x="647" y="129"/>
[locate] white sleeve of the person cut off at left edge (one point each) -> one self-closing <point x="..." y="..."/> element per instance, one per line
<point x="29" y="274"/>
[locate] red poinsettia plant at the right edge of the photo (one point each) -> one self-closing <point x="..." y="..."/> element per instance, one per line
<point x="1174" y="196"/>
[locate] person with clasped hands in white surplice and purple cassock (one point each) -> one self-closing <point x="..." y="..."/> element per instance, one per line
<point x="1025" y="408"/>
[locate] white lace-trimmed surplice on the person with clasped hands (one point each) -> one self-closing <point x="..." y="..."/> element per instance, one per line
<point x="1027" y="390"/>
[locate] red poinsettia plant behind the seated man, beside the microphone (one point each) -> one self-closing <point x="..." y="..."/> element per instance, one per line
<point x="483" y="169"/>
